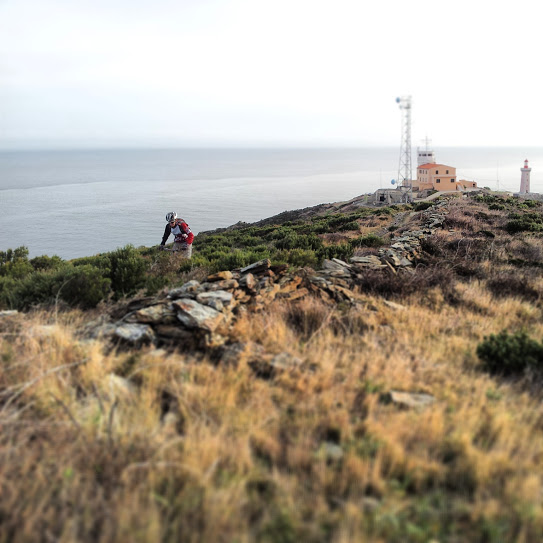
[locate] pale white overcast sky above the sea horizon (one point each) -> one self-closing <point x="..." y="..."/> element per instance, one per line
<point x="268" y="73"/>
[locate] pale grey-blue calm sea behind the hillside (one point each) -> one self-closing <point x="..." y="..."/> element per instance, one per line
<point x="75" y="203"/>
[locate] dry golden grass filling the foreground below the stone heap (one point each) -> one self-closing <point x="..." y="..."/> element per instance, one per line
<point x="151" y="446"/>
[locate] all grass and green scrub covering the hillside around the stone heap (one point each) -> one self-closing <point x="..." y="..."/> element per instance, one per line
<point x="105" y="444"/>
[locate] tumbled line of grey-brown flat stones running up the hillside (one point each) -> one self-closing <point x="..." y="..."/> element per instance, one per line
<point x="200" y="315"/>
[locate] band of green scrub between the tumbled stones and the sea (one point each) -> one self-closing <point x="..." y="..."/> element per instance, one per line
<point x="85" y="282"/>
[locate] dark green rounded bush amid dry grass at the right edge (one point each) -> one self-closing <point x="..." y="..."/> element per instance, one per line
<point x="506" y="354"/>
